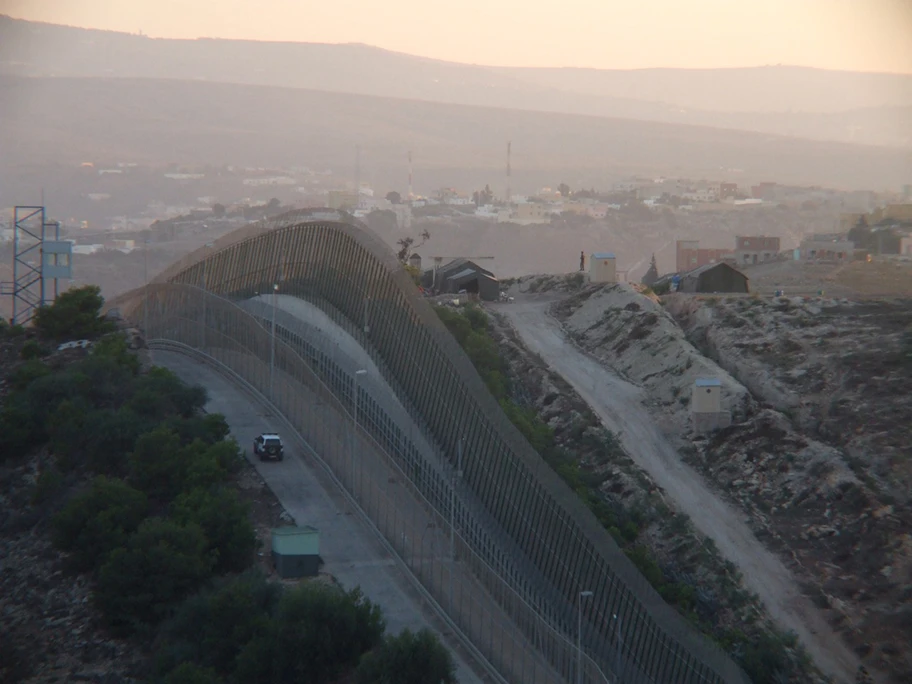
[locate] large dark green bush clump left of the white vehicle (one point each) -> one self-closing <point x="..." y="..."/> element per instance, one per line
<point x="158" y="518"/>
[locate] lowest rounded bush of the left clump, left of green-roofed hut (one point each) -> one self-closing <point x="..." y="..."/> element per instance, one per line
<point x="163" y="563"/>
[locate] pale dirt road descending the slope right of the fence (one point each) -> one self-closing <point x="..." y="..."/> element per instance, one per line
<point x="619" y="405"/>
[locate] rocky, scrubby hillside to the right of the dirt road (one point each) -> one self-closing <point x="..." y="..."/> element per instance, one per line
<point x="814" y="496"/>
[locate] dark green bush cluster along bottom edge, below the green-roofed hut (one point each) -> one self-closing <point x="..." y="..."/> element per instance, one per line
<point x="246" y="629"/>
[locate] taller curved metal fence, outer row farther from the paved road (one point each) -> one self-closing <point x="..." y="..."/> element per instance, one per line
<point x="558" y="570"/>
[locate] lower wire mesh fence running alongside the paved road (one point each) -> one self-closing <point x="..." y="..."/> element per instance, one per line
<point x="387" y="484"/>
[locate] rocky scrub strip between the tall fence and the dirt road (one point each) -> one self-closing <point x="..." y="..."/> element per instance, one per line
<point x="681" y="563"/>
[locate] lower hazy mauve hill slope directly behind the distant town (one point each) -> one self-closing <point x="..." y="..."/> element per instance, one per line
<point x="69" y="120"/>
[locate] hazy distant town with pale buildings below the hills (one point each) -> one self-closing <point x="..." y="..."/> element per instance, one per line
<point x="232" y="196"/>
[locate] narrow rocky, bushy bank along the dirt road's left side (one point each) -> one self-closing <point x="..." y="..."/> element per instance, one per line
<point x="689" y="562"/>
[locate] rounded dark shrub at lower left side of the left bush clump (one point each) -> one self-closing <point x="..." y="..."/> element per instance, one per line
<point x="98" y="521"/>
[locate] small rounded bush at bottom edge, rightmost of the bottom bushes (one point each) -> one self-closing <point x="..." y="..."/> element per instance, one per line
<point x="409" y="658"/>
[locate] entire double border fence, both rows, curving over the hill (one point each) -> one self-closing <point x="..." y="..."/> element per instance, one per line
<point x="530" y="576"/>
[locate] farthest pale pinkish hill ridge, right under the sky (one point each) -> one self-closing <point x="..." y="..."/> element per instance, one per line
<point x="795" y="101"/>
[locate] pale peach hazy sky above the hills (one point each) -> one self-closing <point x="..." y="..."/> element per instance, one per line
<point x="864" y="35"/>
